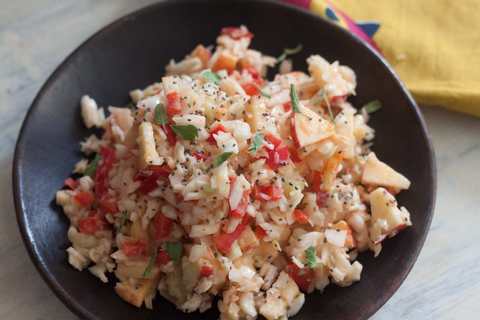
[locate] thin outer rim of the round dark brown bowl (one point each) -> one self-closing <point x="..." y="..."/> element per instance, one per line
<point x="28" y="239"/>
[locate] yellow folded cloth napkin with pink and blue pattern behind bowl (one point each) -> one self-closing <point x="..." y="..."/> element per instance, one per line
<point x="434" y="45"/>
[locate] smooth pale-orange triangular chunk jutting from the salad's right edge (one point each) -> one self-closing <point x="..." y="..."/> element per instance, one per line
<point x="377" y="173"/>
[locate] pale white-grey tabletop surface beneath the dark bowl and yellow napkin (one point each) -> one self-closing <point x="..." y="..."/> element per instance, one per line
<point x="36" y="35"/>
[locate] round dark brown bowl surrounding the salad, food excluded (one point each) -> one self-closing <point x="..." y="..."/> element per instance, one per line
<point x="131" y="53"/>
